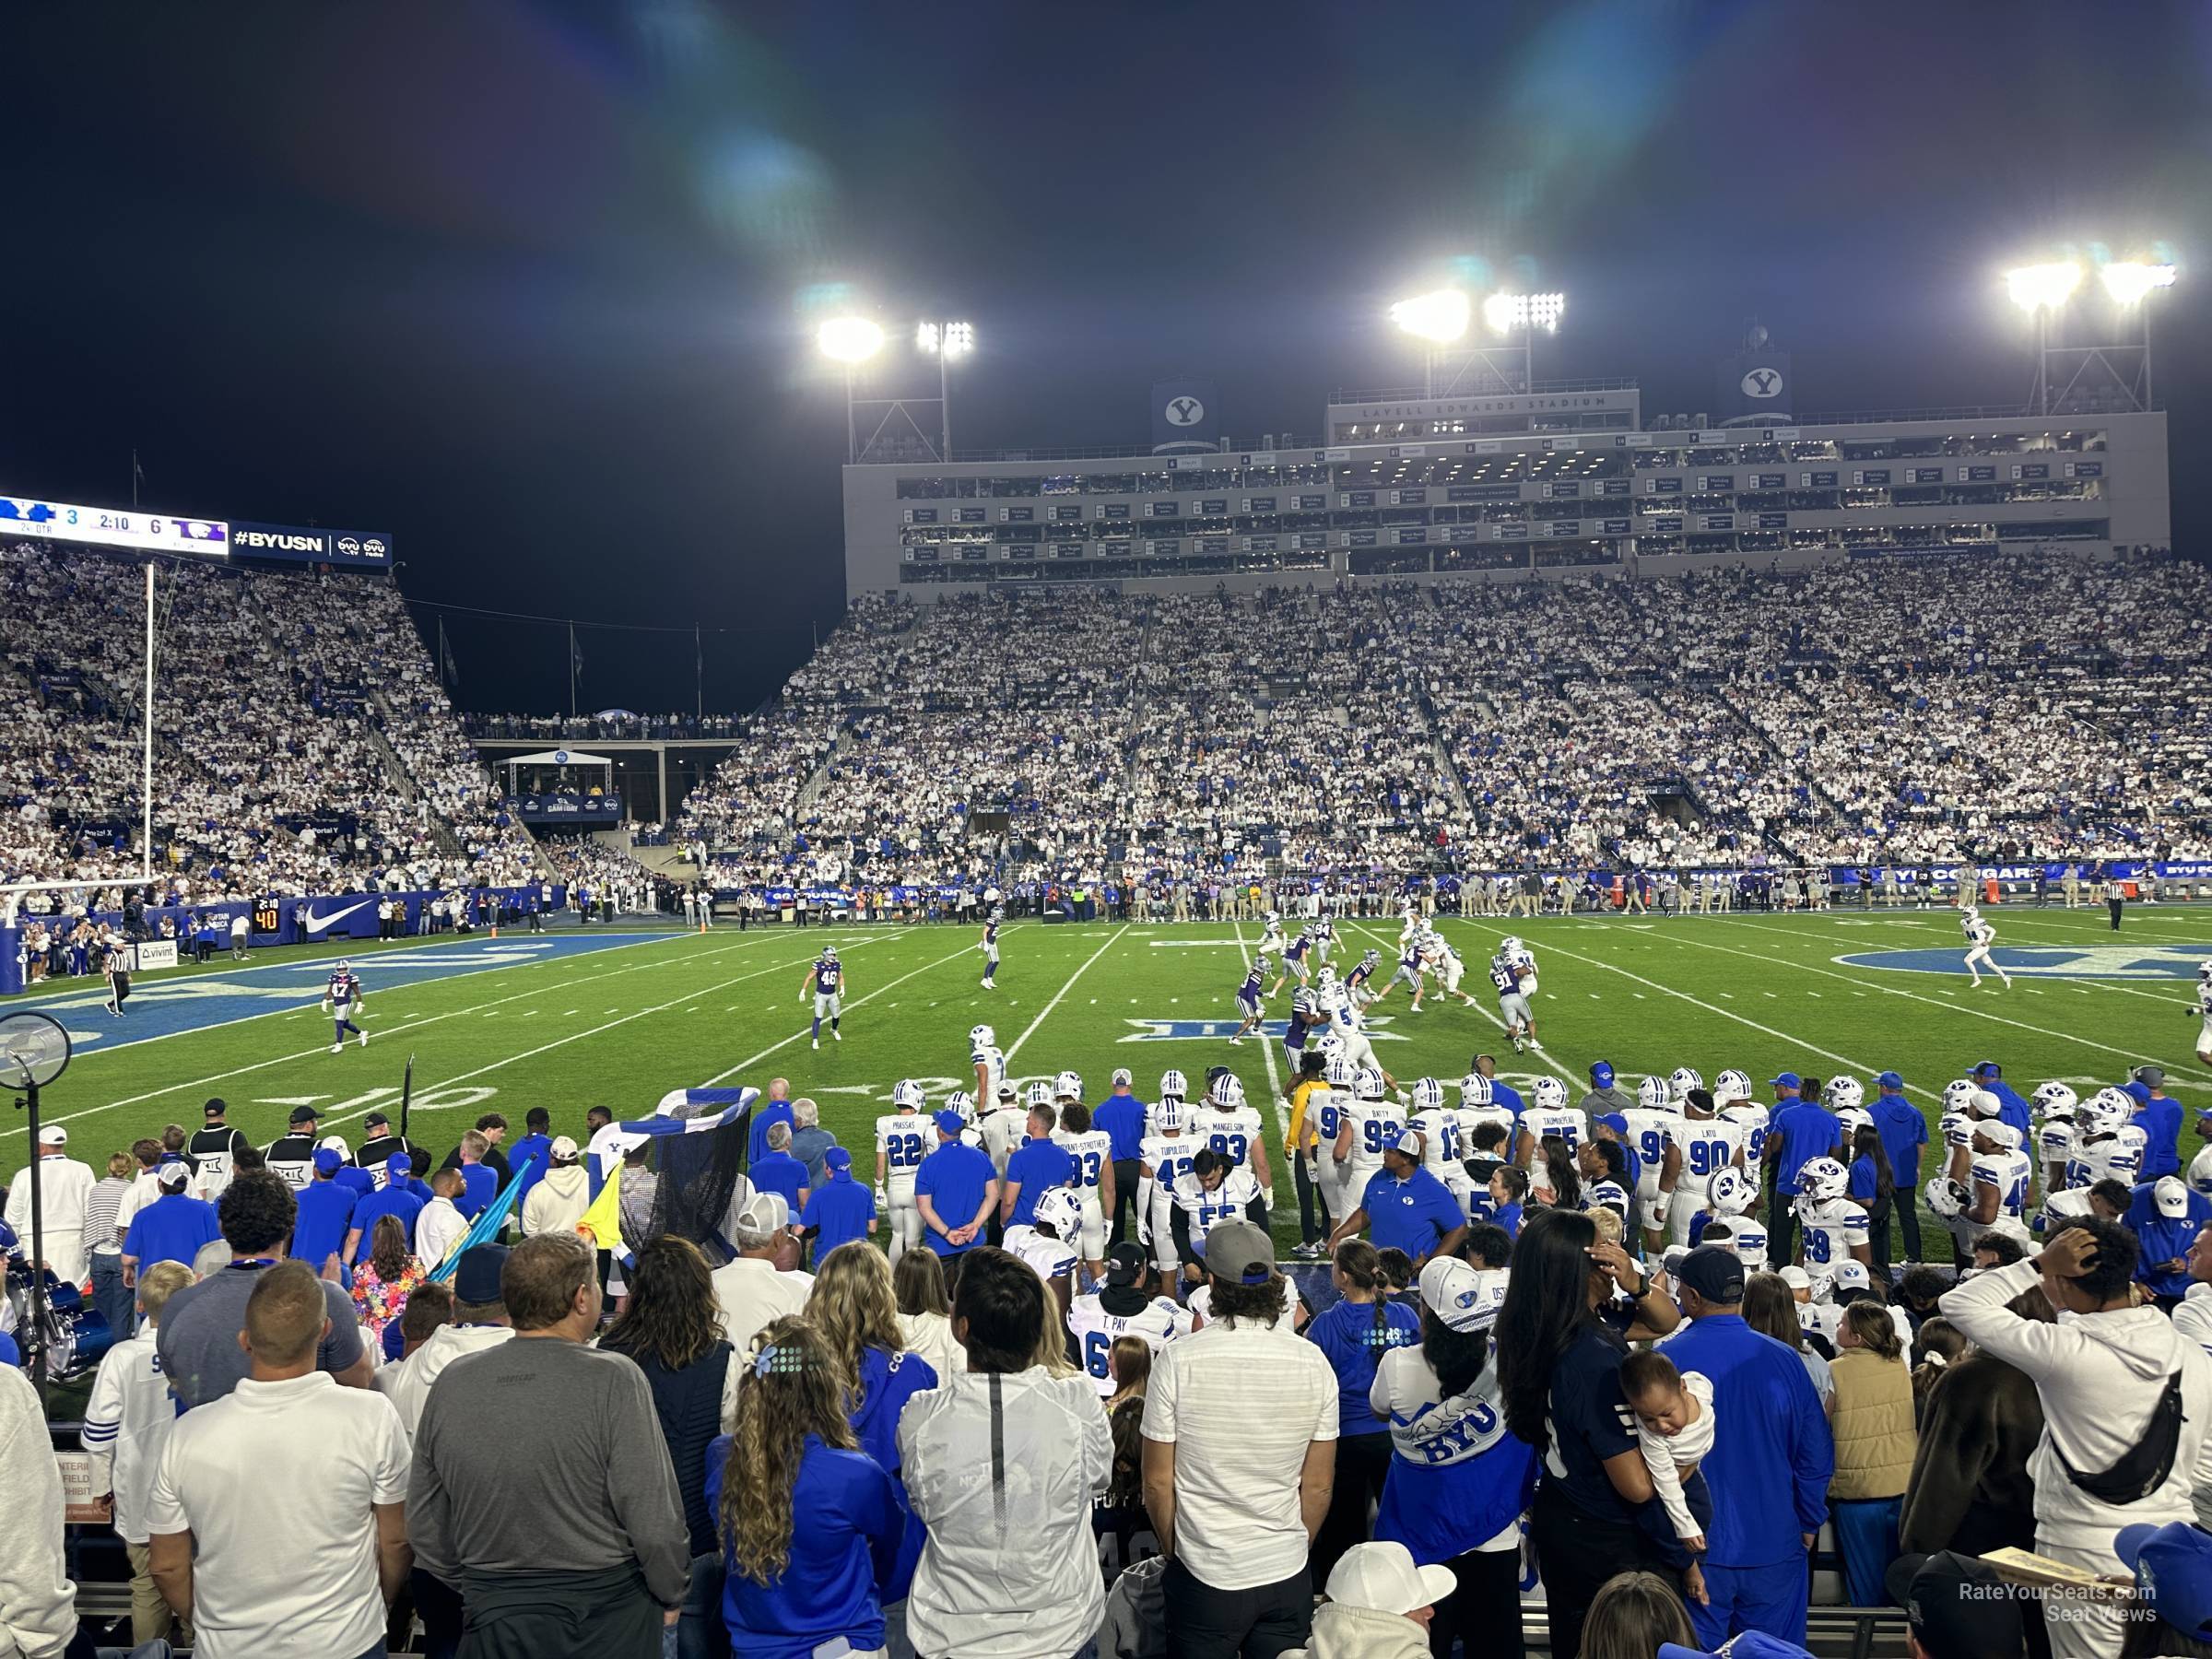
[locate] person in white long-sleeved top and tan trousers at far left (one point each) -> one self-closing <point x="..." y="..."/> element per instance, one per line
<point x="127" y="1426"/>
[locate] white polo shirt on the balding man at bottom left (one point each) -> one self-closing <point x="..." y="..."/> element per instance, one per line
<point x="284" y="1567"/>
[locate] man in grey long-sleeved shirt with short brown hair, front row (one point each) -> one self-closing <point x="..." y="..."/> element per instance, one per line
<point x="559" y="1523"/>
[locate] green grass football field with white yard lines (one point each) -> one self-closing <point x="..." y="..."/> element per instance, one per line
<point x="627" y="1023"/>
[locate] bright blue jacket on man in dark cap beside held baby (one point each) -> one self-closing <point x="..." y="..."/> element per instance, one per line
<point x="1773" y="1457"/>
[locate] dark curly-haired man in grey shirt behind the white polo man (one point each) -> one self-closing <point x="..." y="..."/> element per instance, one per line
<point x="200" y="1328"/>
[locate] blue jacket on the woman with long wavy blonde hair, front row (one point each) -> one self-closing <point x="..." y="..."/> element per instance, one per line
<point x="846" y="1534"/>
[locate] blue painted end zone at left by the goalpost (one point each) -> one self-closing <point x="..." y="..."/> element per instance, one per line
<point x="220" y="997"/>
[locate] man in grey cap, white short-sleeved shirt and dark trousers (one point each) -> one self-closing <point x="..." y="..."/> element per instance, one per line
<point x="1240" y="1430"/>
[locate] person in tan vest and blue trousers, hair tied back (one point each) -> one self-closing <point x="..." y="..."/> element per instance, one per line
<point x="1872" y="1419"/>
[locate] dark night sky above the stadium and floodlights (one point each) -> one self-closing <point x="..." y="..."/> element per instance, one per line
<point x="530" y="286"/>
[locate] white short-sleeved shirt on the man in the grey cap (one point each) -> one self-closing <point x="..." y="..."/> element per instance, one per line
<point x="1242" y="1406"/>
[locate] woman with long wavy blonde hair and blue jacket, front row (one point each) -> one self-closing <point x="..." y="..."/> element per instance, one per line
<point x="811" y="1525"/>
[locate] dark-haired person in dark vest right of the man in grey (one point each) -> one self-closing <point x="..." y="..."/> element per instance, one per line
<point x="674" y="1333"/>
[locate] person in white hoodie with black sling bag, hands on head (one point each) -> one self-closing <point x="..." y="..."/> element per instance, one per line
<point x="2105" y="1375"/>
